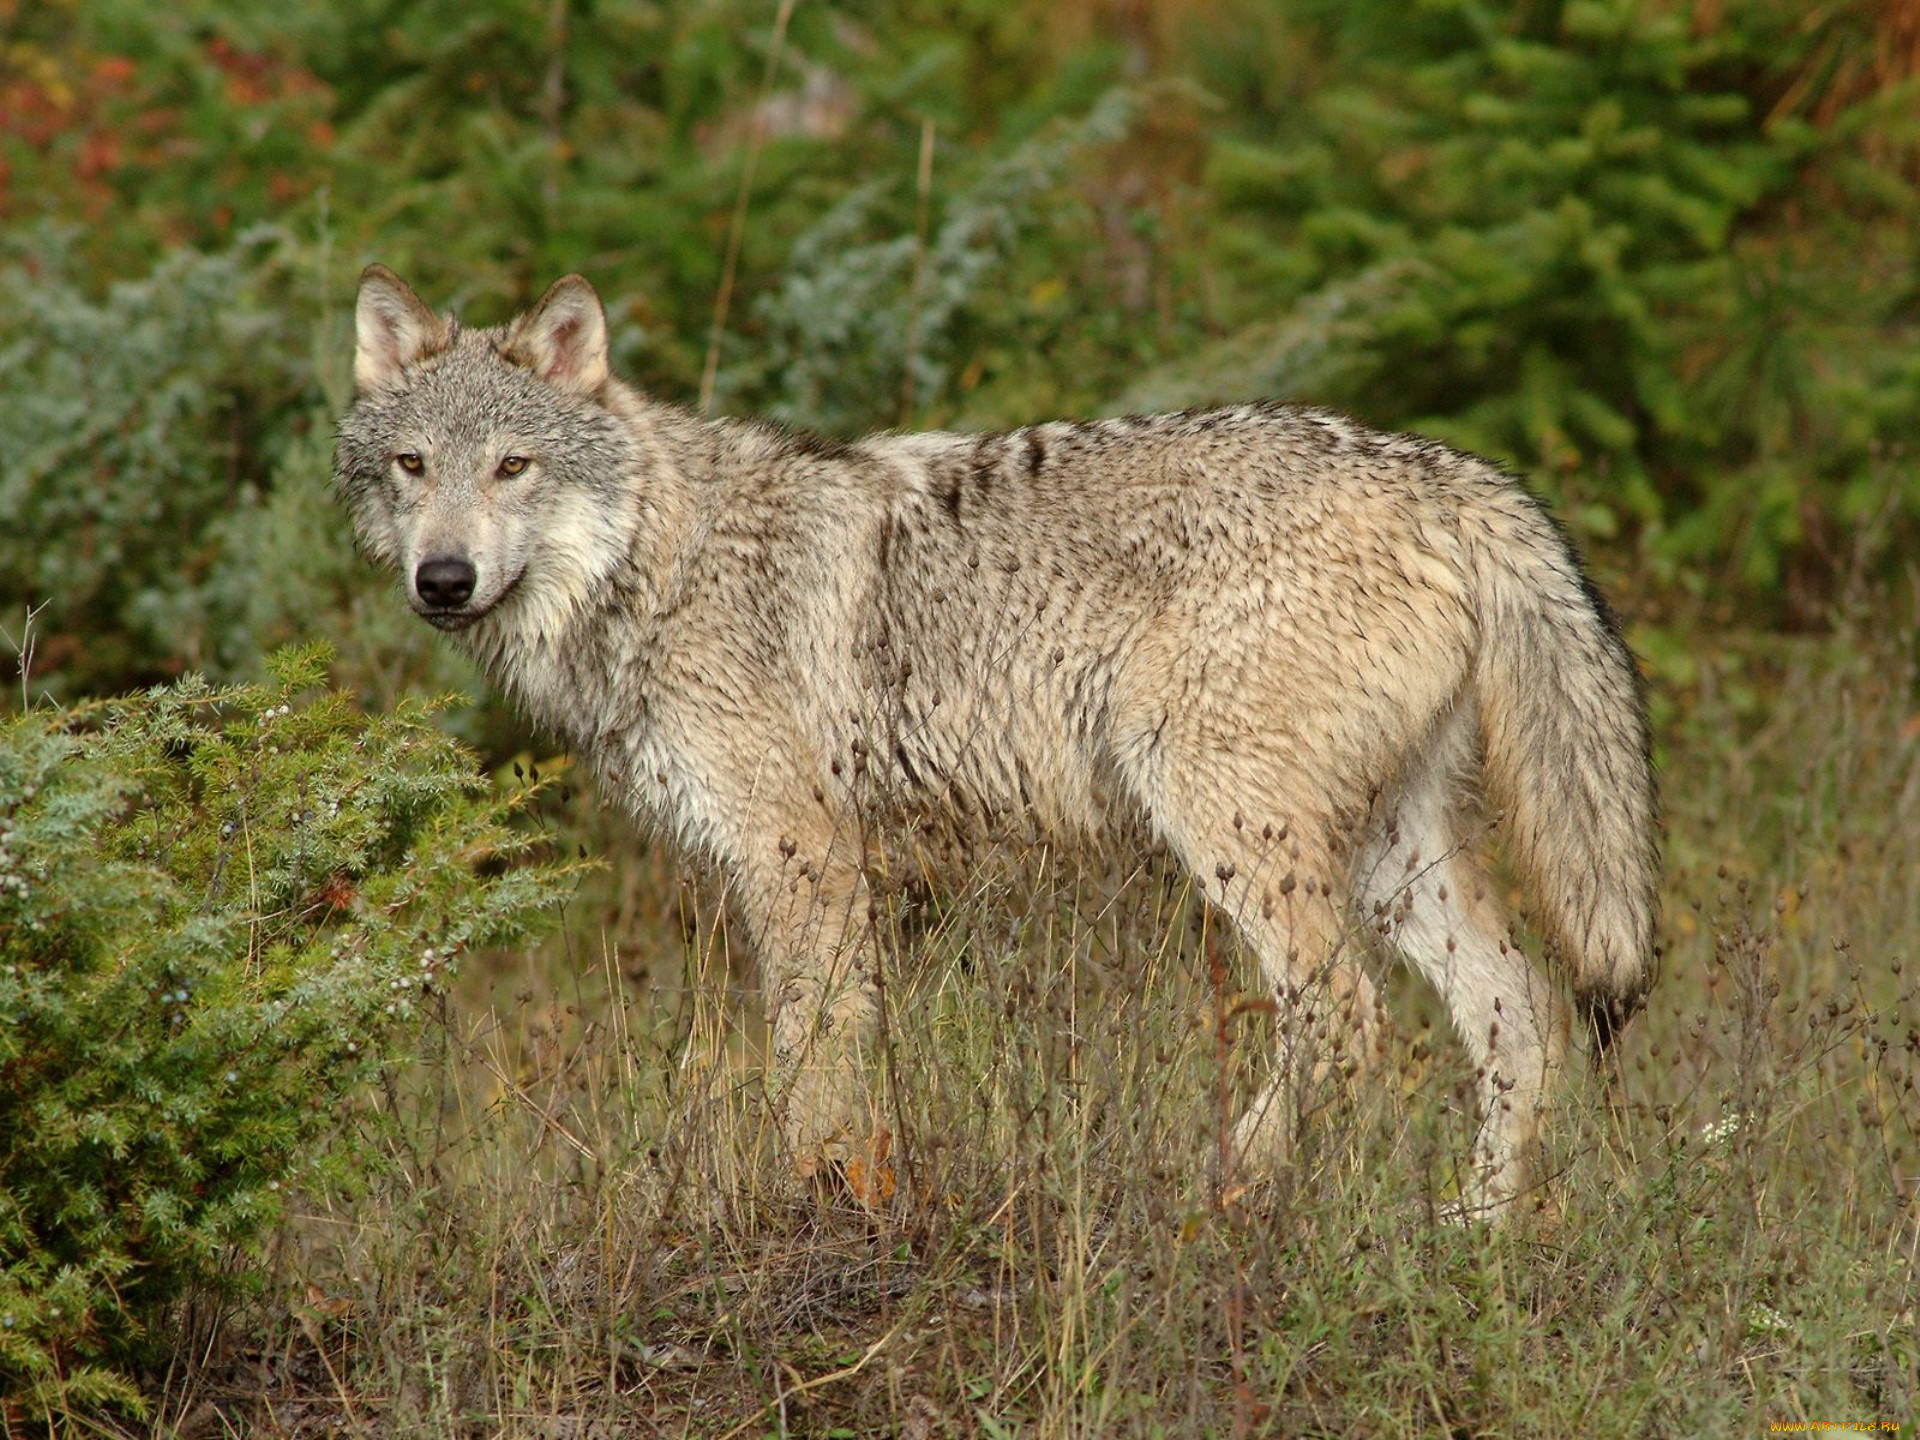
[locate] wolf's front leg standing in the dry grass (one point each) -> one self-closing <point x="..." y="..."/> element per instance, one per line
<point x="817" y="951"/>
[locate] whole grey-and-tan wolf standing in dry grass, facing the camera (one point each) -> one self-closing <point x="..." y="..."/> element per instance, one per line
<point x="1291" y="650"/>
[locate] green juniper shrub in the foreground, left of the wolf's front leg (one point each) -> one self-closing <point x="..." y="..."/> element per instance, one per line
<point x="222" y="915"/>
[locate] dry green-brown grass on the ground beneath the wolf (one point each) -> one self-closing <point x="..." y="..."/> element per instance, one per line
<point x="583" y="1226"/>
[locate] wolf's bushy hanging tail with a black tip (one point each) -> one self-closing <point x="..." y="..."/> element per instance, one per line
<point x="1568" y="757"/>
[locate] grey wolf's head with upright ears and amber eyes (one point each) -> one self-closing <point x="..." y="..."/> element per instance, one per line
<point x="485" y="466"/>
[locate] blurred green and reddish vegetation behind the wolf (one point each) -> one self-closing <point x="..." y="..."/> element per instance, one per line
<point x="1660" y="256"/>
